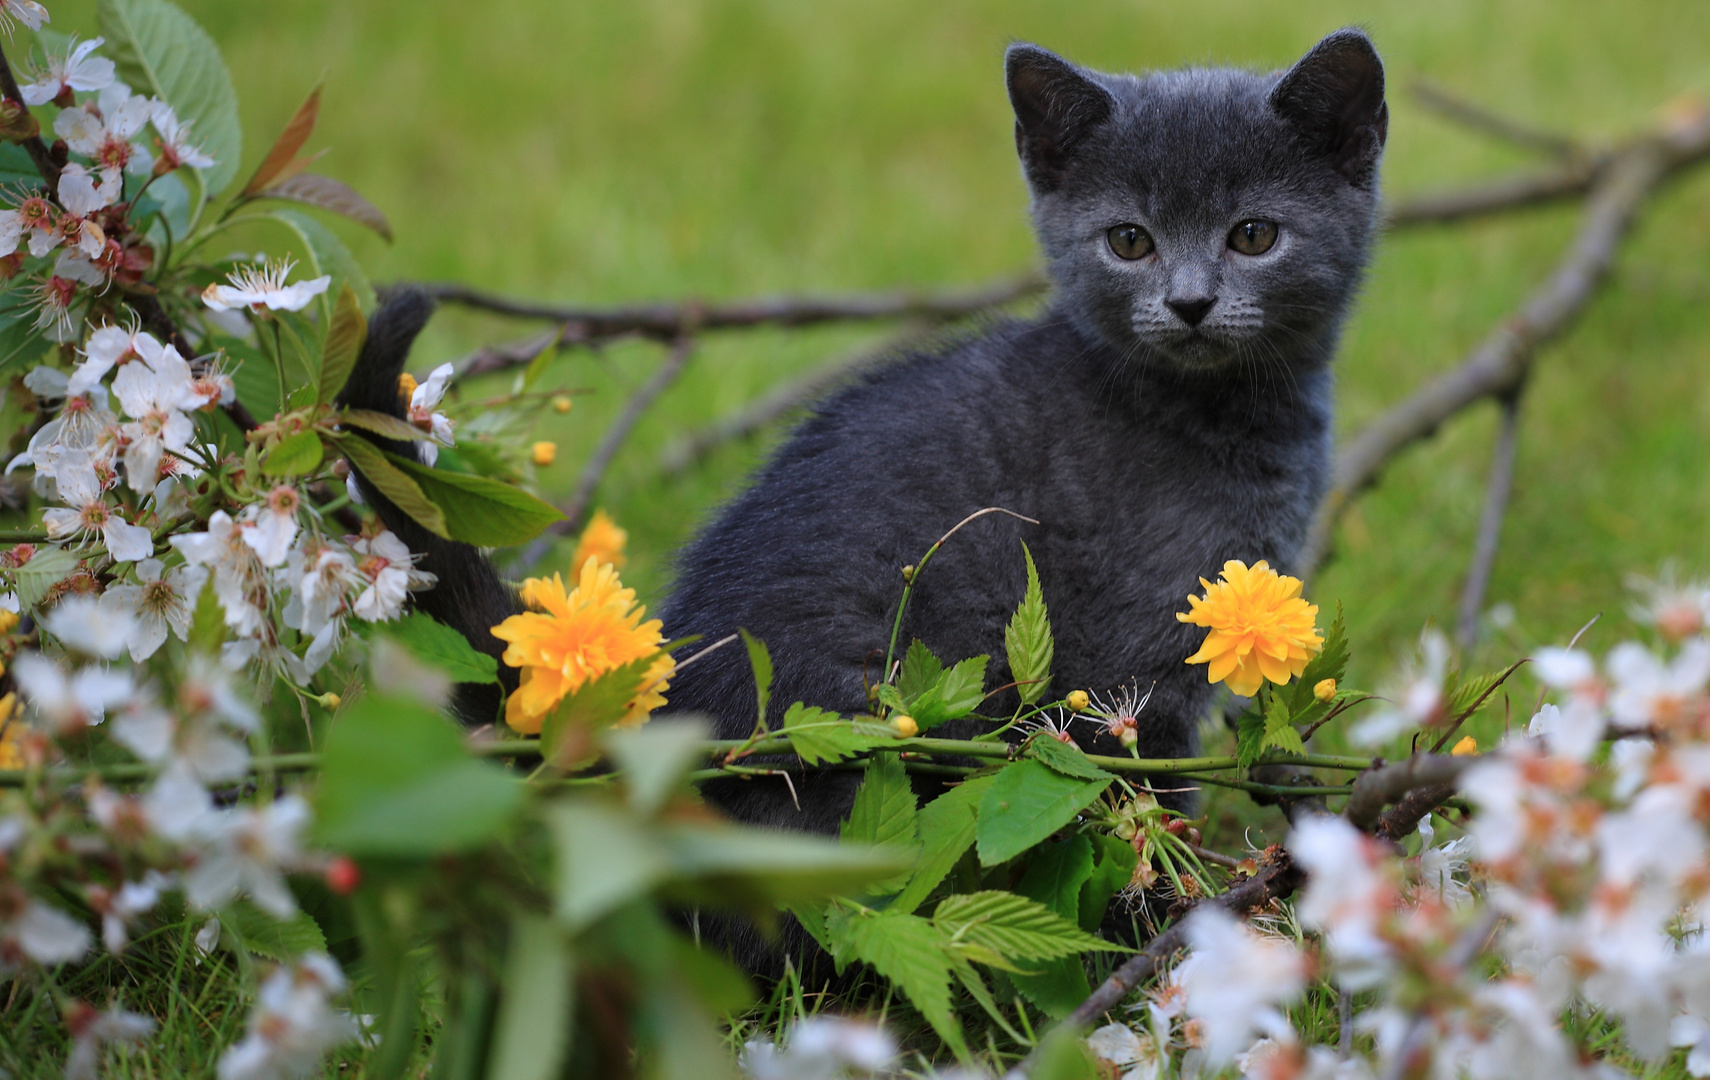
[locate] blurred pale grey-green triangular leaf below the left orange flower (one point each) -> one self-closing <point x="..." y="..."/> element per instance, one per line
<point x="603" y="859"/>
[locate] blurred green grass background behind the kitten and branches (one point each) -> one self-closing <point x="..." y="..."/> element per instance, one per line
<point x="656" y="150"/>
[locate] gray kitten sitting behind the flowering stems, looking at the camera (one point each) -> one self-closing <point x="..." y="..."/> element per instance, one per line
<point x="1170" y="411"/>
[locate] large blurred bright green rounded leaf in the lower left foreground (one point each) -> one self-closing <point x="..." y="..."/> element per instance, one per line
<point x="398" y="782"/>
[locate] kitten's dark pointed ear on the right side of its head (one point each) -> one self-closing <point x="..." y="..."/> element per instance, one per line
<point x="1336" y="98"/>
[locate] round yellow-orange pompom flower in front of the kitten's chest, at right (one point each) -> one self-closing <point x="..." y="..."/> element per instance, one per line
<point x="1259" y="628"/>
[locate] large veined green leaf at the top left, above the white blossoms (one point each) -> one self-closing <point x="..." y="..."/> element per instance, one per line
<point x="160" y="50"/>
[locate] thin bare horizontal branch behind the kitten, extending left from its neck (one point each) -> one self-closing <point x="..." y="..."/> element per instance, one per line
<point x="669" y="322"/>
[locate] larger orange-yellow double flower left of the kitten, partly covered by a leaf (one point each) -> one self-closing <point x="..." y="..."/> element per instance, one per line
<point x="577" y="637"/>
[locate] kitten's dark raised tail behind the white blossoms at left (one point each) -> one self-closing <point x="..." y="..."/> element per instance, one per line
<point x="471" y="597"/>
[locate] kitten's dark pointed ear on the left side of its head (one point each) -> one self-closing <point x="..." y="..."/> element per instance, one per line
<point x="1056" y="107"/>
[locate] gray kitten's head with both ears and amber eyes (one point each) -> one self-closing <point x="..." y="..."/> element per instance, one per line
<point x="1206" y="216"/>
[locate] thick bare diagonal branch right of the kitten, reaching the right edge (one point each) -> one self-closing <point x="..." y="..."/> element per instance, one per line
<point x="1502" y="361"/>
